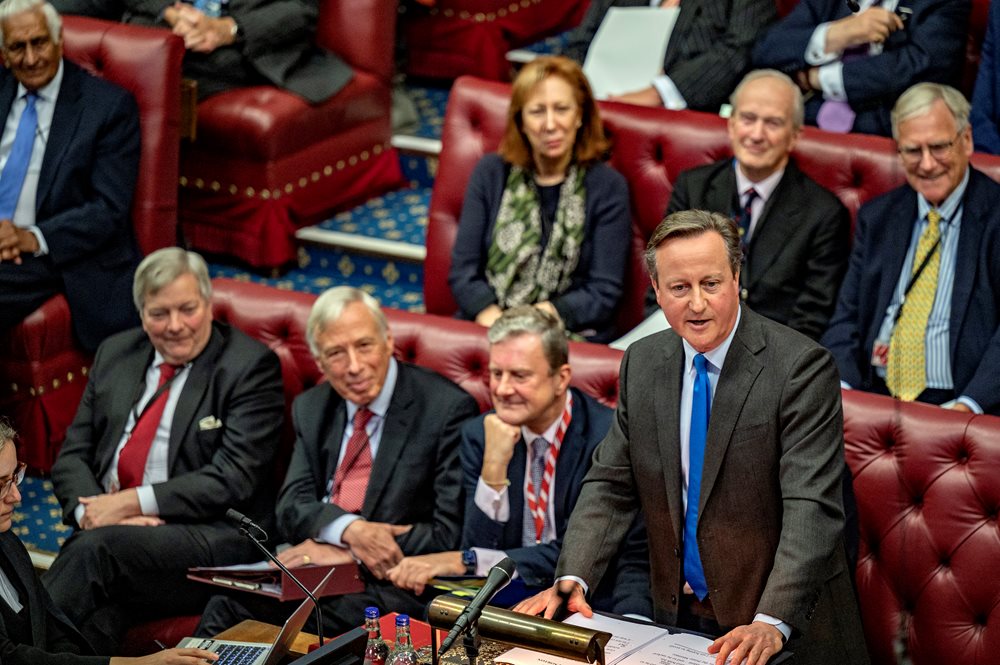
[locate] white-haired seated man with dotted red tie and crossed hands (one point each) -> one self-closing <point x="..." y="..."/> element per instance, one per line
<point x="374" y="475"/>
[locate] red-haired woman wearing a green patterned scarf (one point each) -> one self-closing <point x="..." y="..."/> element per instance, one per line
<point x="545" y="222"/>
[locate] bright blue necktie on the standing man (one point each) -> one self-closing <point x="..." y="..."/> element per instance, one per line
<point x="701" y="405"/>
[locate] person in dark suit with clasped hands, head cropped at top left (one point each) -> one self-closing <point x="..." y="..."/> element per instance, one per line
<point x="237" y="43"/>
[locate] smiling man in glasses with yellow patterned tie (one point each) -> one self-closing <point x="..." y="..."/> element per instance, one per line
<point x="919" y="312"/>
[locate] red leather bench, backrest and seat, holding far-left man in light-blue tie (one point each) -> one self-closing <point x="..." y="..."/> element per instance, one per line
<point x="42" y="370"/>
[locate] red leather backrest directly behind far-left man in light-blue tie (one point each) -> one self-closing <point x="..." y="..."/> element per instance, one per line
<point x="147" y="63"/>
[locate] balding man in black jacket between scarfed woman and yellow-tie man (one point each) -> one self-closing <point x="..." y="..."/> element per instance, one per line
<point x="795" y="233"/>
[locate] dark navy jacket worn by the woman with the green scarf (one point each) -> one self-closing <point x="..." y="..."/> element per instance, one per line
<point x="592" y="299"/>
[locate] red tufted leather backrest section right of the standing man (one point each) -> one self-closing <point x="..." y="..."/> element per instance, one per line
<point x="928" y="496"/>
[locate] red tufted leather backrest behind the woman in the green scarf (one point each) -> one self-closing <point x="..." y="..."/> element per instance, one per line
<point x="650" y="147"/>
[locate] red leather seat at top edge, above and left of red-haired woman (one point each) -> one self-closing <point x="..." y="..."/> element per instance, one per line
<point x="457" y="37"/>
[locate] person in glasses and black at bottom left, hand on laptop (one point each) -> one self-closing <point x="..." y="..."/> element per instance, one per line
<point x="33" y="631"/>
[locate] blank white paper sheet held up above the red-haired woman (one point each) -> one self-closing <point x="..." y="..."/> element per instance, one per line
<point x="627" y="52"/>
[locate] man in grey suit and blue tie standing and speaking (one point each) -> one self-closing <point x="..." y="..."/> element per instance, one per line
<point x="729" y="436"/>
